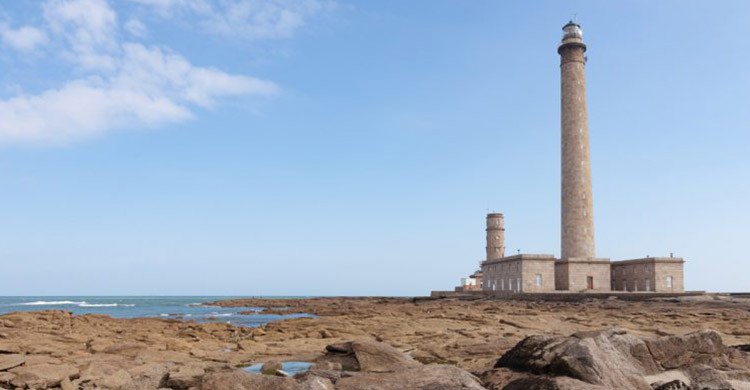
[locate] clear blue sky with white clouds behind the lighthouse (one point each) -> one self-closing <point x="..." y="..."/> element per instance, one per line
<point x="332" y="147"/>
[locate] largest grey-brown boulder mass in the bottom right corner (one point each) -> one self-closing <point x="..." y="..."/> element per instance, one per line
<point x="615" y="359"/>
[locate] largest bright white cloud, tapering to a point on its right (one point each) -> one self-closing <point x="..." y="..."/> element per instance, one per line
<point x="123" y="84"/>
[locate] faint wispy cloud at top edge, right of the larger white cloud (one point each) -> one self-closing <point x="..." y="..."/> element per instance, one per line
<point x="252" y="19"/>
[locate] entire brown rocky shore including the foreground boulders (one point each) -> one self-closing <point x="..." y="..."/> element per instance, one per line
<point x="394" y="343"/>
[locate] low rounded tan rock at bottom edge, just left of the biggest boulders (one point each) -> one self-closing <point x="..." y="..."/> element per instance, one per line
<point x="429" y="377"/>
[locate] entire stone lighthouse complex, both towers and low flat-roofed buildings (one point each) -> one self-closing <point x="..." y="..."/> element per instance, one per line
<point x="578" y="268"/>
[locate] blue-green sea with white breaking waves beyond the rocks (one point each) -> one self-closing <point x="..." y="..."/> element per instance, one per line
<point x="186" y="308"/>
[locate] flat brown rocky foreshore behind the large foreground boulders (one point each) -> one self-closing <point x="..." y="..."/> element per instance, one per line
<point x="468" y="334"/>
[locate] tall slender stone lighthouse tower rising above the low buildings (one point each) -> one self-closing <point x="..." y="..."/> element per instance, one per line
<point x="577" y="202"/>
